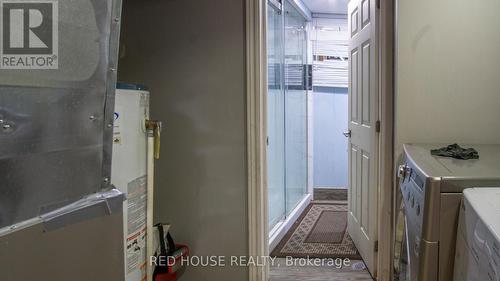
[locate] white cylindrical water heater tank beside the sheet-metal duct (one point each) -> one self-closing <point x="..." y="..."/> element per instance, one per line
<point x="129" y="172"/>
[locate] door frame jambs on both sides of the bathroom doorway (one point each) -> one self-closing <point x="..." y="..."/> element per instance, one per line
<point x="256" y="126"/>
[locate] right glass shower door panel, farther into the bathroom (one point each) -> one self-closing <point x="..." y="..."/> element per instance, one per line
<point x="295" y="57"/>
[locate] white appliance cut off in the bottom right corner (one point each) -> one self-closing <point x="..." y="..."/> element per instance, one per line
<point x="478" y="238"/>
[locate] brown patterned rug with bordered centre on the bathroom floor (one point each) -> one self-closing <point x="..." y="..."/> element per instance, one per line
<point x="320" y="232"/>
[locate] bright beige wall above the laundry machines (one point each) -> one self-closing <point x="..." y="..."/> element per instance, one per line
<point x="448" y="71"/>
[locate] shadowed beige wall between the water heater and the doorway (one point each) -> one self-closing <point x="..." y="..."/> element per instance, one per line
<point x="192" y="56"/>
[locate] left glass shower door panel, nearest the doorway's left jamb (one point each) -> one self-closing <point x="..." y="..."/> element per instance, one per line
<point x="276" y="118"/>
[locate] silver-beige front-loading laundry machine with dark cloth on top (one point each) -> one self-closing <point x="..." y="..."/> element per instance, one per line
<point x="430" y="196"/>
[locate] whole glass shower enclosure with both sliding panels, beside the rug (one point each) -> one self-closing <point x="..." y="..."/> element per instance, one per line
<point x="287" y="110"/>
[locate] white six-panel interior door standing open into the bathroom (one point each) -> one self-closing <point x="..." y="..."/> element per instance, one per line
<point x="363" y="118"/>
